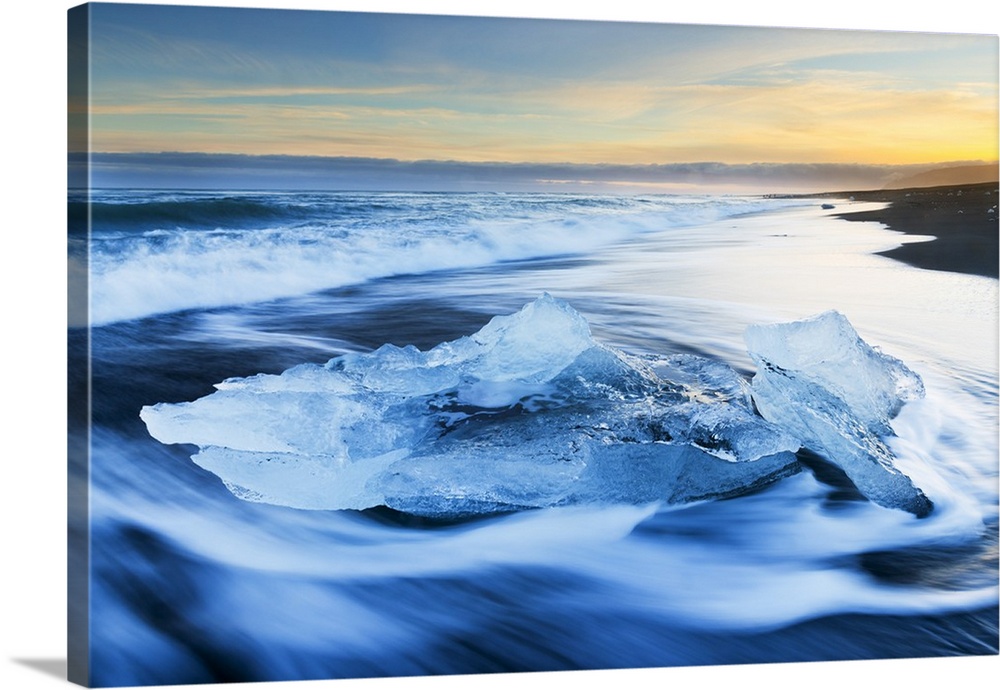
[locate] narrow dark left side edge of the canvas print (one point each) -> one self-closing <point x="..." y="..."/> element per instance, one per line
<point x="78" y="352"/>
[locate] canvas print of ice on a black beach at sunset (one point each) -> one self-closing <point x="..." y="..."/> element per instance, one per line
<point x="413" y="345"/>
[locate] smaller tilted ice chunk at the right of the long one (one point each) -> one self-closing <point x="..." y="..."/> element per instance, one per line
<point x="820" y="381"/>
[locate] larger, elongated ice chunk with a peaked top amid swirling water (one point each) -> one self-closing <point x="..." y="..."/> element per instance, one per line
<point x="529" y="411"/>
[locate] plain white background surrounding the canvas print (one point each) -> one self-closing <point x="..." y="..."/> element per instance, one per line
<point x="32" y="251"/>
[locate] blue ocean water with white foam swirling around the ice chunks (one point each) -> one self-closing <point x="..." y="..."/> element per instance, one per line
<point x="191" y="583"/>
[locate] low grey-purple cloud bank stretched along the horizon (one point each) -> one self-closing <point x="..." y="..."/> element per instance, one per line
<point x="238" y="171"/>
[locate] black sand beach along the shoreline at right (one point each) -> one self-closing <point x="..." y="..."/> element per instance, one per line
<point x="962" y="218"/>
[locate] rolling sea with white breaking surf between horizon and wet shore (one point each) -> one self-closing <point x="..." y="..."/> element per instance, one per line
<point x="170" y="257"/>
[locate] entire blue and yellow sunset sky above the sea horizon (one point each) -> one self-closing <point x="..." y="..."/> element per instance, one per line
<point x="201" y="96"/>
